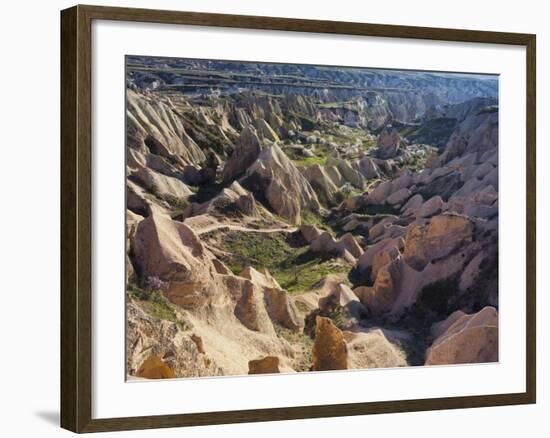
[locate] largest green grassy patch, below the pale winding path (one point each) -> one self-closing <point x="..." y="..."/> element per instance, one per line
<point x="295" y="267"/>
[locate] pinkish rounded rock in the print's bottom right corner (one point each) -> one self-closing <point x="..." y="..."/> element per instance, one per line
<point x="468" y="339"/>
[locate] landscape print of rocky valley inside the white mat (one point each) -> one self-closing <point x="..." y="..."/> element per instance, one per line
<point x="286" y="218"/>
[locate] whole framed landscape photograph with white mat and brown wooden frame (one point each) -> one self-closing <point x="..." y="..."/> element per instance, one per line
<point x="270" y="218"/>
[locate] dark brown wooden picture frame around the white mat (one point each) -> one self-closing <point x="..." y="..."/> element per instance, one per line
<point x="76" y="225"/>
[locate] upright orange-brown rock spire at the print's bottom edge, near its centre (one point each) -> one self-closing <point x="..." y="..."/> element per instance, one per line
<point x="329" y="350"/>
